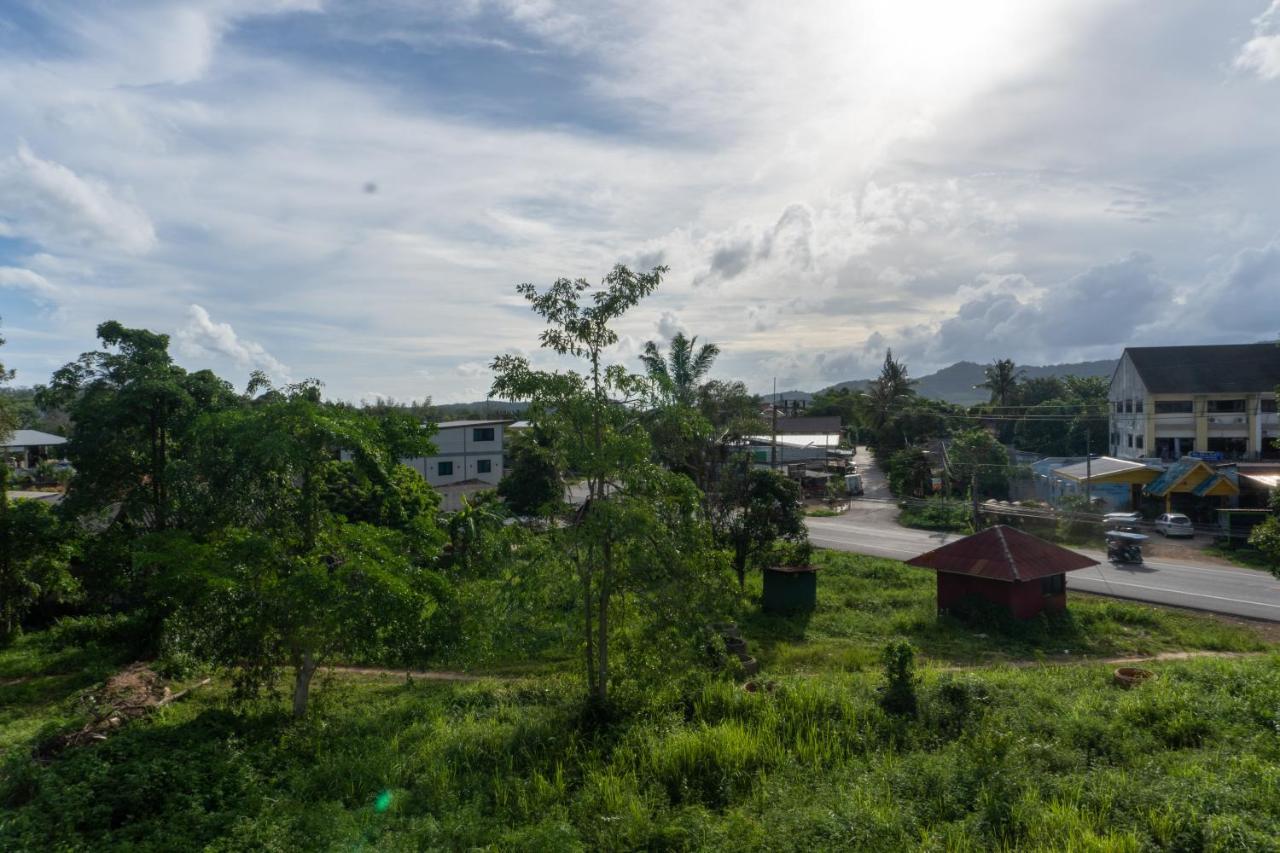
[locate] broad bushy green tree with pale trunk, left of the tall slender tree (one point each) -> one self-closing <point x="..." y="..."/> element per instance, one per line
<point x="281" y="573"/>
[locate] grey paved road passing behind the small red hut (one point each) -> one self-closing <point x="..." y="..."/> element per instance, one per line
<point x="870" y="528"/>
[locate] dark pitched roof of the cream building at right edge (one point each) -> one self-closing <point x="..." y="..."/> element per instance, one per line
<point x="1246" y="368"/>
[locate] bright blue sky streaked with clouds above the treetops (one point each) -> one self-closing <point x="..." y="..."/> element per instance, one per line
<point x="353" y="191"/>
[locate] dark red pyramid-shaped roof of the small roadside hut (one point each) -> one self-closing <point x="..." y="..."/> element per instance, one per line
<point x="1003" y="554"/>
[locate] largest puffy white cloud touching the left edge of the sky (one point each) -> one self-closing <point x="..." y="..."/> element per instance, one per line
<point x="52" y="204"/>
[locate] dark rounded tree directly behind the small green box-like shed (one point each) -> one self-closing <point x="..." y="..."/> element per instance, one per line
<point x="755" y="510"/>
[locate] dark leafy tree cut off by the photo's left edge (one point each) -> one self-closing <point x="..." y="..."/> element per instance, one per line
<point x="35" y="559"/>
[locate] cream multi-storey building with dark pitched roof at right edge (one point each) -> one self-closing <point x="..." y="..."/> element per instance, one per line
<point x="1217" y="402"/>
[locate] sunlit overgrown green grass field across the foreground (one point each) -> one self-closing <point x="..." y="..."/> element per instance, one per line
<point x="999" y="756"/>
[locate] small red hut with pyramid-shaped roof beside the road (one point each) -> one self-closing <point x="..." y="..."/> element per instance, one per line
<point x="1003" y="565"/>
